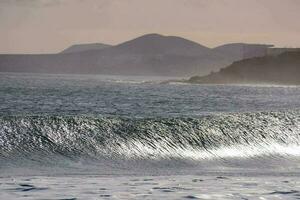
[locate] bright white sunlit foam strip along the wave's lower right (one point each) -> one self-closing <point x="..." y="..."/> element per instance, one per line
<point x="136" y="149"/>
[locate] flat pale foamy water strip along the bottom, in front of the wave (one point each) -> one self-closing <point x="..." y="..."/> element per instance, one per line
<point x="154" y="187"/>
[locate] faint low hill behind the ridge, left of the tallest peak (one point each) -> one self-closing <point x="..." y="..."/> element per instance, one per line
<point x="85" y="47"/>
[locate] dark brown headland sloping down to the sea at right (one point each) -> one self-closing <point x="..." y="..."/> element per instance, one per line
<point x="281" y="69"/>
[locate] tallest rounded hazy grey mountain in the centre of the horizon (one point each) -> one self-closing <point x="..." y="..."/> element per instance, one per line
<point x="155" y="54"/>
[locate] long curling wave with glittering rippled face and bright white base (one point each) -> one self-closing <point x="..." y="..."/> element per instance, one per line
<point x="241" y="136"/>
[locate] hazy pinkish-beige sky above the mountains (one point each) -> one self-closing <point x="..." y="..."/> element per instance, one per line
<point x="41" y="26"/>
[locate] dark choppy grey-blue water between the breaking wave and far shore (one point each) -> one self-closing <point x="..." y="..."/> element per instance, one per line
<point x="132" y="97"/>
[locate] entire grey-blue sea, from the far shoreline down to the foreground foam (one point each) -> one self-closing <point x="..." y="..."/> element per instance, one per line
<point x="110" y="137"/>
